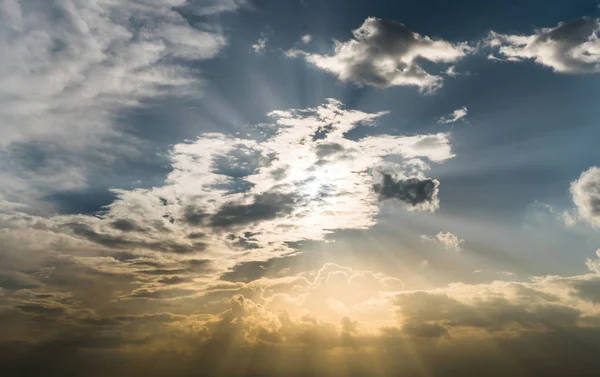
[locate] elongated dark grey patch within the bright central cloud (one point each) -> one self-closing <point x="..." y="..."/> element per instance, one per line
<point x="265" y="206"/>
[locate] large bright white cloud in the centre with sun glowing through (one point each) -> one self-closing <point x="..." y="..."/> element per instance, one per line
<point x="235" y="200"/>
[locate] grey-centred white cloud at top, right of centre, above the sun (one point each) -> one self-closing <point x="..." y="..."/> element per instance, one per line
<point x="385" y="53"/>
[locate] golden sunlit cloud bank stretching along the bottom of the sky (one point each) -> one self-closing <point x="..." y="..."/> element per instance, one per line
<point x="512" y="327"/>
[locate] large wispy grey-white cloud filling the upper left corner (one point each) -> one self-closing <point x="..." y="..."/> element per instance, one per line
<point x="71" y="66"/>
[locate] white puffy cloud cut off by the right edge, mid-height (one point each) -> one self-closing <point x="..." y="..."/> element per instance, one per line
<point x="586" y="195"/>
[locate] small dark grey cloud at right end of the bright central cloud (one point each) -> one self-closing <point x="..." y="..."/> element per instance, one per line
<point x="414" y="191"/>
